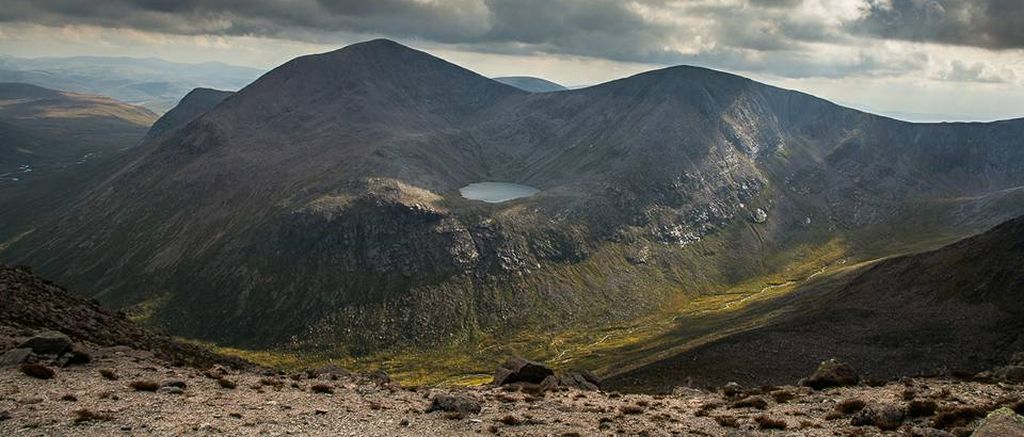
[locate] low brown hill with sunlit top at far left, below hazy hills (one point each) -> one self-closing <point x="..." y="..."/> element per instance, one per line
<point x="46" y="129"/>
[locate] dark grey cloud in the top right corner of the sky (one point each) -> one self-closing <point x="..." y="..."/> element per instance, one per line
<point x="988" y="24"/>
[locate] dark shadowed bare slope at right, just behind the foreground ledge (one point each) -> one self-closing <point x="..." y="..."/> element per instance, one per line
<point x="957" y="309"/>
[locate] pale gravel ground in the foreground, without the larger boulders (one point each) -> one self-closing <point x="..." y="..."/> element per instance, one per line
<point x="359" y="407"/>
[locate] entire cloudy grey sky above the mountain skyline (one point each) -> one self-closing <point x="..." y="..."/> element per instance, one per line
<point x="917" y="60"/>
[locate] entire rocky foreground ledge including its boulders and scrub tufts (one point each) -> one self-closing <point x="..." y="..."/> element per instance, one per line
<point x="86" y="389"/>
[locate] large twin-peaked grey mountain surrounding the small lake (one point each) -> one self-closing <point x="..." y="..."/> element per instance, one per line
<point x="319" y="207"/>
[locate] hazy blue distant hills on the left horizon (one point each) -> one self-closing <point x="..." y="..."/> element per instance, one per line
<point x="153" y="83"/>
